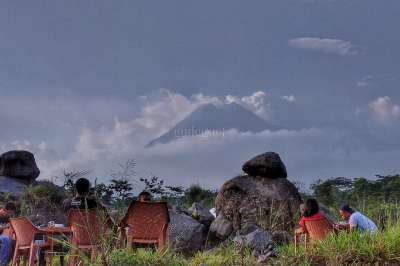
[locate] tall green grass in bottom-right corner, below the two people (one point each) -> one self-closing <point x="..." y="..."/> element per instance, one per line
<point x="382" y="248"/>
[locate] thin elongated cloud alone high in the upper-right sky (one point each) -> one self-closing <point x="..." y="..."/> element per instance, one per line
<point x="328" y="46"/>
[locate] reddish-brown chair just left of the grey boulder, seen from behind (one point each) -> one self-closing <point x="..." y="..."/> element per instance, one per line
<point x="147" y="223"/>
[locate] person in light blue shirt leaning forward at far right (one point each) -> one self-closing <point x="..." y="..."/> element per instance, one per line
<point x="356" y="220"/>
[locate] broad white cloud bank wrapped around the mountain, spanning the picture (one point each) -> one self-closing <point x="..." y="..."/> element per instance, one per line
<point x="309" y="153"/>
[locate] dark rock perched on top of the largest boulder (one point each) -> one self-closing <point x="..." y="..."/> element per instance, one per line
<point x="267" y="165"/>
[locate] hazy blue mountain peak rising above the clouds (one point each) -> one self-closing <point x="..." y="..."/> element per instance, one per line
<point x="215" y="119"/>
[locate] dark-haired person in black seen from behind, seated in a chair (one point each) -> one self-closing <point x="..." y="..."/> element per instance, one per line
<point x="82" y="200"/>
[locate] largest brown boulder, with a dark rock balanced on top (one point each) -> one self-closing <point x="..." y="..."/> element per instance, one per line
<point x="264" y="201"/>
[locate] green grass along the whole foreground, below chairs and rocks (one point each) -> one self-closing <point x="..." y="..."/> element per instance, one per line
<point x="382" y="248"/>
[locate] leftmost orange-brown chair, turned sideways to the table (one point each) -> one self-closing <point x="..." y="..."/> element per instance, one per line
<point x="26" y="247"/>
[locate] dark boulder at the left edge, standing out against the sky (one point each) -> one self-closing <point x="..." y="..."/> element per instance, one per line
<point x="19" y="164"/>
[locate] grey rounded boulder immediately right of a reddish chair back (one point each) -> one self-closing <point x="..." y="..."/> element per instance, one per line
<point x="185" y="233"/>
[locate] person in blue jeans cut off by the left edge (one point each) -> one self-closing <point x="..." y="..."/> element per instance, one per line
<point x="6" y="246"/>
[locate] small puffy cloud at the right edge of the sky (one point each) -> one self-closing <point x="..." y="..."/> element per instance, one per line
<point x="384" y="110"/>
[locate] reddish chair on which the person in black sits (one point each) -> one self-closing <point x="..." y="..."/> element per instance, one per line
<point x="86" y="228"/>
